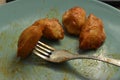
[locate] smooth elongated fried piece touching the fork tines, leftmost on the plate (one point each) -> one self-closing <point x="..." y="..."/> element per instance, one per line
<point x="28" y="40"/>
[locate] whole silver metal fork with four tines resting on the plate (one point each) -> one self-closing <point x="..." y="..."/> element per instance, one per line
<point x="50" y="54"/>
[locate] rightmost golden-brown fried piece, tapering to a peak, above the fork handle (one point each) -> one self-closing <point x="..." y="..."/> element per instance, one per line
<point x="92" y="33"/>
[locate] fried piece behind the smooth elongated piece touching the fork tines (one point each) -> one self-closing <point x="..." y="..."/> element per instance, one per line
<point x="53" y="29"/>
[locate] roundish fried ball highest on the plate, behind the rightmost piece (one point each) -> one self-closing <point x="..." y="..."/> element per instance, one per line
<point x="73" y="20"/>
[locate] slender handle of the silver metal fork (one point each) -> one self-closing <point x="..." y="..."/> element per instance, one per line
<point x="100" y="58"/>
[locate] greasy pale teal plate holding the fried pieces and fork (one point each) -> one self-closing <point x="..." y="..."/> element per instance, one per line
<point x="17" y="15"/>
